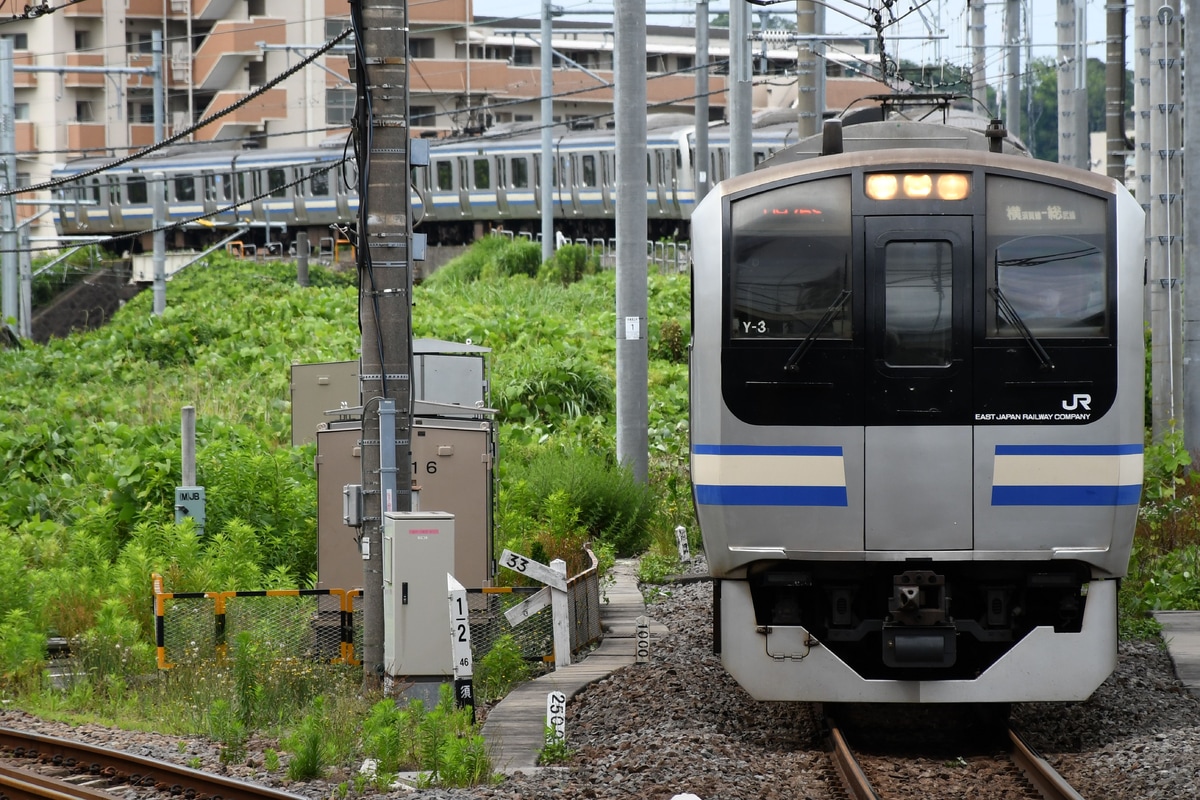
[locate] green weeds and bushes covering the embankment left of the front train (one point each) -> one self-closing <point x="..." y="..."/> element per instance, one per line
<point x="89" y="437"/>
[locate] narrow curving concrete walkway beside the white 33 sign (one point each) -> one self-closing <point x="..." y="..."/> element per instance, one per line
<point x="517" y="729"/>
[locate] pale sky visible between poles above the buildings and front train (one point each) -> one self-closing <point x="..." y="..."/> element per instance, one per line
<point x="950" y="17"/>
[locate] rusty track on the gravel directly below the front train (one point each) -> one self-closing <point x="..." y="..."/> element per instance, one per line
<point x="1024" y="775"/>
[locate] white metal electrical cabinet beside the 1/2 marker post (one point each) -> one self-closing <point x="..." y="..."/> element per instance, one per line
<point x="418" y="554"/>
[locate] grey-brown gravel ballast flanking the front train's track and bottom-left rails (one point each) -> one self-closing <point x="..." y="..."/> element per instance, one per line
<point x="681" y="725"/>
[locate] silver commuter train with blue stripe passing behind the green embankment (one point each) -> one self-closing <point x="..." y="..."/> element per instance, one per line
<point x="470" y="187"/>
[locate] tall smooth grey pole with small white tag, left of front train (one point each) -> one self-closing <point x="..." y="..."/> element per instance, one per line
<point x="633" y="357"/>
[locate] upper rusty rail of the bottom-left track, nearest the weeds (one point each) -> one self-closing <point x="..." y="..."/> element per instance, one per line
<point x="124" y="767"/>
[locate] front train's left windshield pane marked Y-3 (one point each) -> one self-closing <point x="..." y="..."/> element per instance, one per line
<point x="790" y="261"/>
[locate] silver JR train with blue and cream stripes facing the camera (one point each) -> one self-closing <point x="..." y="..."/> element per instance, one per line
<point x="917" y="377"/>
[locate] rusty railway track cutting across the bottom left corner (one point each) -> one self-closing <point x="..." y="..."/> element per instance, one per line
<point x="61" y="769"/>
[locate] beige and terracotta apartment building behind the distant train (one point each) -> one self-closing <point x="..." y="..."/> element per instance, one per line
<point x="469" y="75"/>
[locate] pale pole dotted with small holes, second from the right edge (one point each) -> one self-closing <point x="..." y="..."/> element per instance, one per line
<point x="1166" y="221"/>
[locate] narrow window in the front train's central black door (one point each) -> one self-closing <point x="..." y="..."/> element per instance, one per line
<point x="917" y="304"/>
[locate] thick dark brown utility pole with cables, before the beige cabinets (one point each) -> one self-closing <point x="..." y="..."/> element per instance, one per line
<point x="386" y="285"/>
